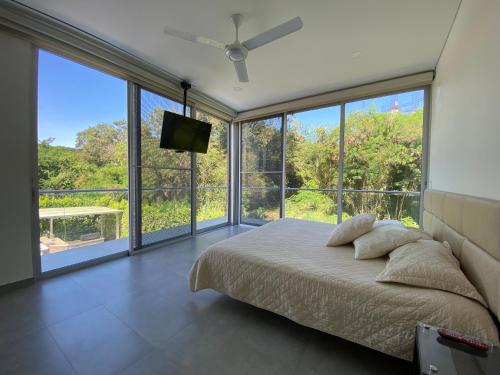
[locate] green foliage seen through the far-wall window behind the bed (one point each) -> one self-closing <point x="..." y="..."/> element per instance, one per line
<point x="383" y="151"/>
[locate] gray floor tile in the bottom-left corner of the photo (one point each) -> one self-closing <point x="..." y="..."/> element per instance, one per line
<point x="36" y="353"/>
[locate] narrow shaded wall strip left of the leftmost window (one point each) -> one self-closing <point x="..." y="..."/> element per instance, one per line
<point x="17" y="127"/>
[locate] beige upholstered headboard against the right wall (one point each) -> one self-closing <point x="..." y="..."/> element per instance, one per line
<point x="472" y="227"/>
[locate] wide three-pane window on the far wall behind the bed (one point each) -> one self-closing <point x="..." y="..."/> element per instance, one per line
<point x="381" y="164"/>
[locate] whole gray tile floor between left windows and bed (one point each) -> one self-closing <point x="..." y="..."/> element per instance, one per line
<point x="136" y="315"/>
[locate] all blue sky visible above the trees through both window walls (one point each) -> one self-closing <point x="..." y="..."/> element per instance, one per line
<point x="73" y="97"/>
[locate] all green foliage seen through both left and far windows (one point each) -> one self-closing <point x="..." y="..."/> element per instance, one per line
<point x="383" y="151"/>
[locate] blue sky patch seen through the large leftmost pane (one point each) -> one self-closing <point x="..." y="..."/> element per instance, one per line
<point x="72" y="97"/>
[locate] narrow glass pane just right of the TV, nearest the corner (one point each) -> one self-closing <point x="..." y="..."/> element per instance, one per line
<point x="212" y="175"/>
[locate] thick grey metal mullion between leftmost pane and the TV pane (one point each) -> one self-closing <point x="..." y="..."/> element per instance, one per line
<point x="134" y="160"/>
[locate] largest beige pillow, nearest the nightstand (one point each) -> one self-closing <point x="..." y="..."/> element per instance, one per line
<point x="428" y="264"/>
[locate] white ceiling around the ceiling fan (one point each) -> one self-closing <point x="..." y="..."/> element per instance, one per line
<point x="392" y="38"/>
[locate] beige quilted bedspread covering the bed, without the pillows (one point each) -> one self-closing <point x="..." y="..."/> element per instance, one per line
<point x="284" y="267"/>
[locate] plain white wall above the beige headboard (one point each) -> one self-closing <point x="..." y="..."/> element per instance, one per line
<point x="465" y="122"/>
